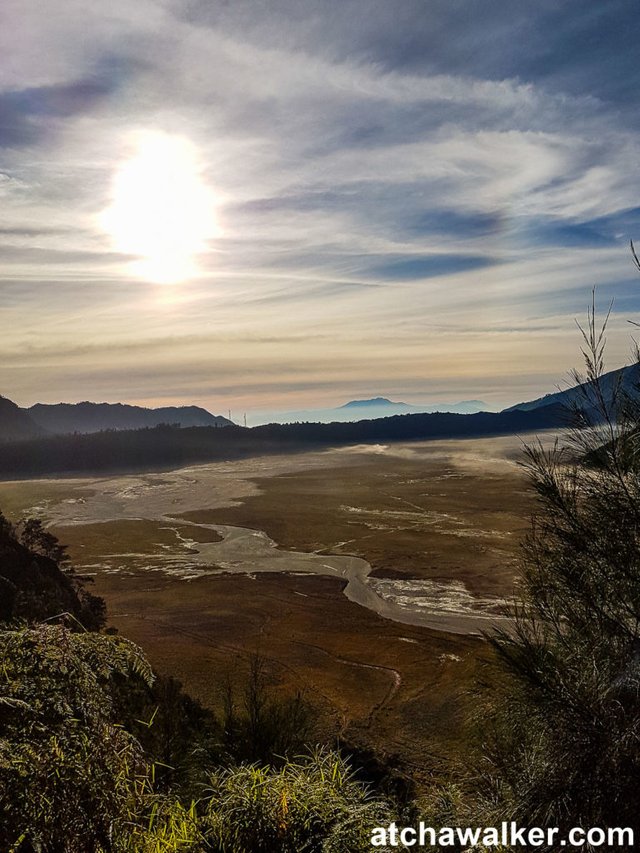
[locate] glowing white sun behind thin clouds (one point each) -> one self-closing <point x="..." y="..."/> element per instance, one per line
<point x="161" y="209"/>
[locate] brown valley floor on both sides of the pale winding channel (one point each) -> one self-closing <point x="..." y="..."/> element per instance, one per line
<point x="431" y="512"/>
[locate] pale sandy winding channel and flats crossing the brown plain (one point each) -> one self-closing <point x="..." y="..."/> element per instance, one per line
<point x="443" y="605"/>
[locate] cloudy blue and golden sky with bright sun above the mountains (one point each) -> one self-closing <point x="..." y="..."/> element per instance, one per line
<point x="287" y="204"/>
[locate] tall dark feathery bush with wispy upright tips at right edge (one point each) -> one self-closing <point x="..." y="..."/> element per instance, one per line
<point x="565" y="746"/>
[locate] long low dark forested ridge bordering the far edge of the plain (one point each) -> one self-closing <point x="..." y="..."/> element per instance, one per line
<point x="165" y="448"/>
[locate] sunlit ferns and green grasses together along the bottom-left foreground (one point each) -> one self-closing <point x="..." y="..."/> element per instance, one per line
<point x="74" y="778"/>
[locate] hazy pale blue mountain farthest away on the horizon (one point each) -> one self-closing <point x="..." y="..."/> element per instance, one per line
<point x="357" y="410"/>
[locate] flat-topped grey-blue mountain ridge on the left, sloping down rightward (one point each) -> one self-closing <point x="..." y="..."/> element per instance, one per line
<point x="87" y="417"/>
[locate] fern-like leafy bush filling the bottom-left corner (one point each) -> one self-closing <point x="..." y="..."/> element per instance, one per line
<point x="71" y="778"/>
